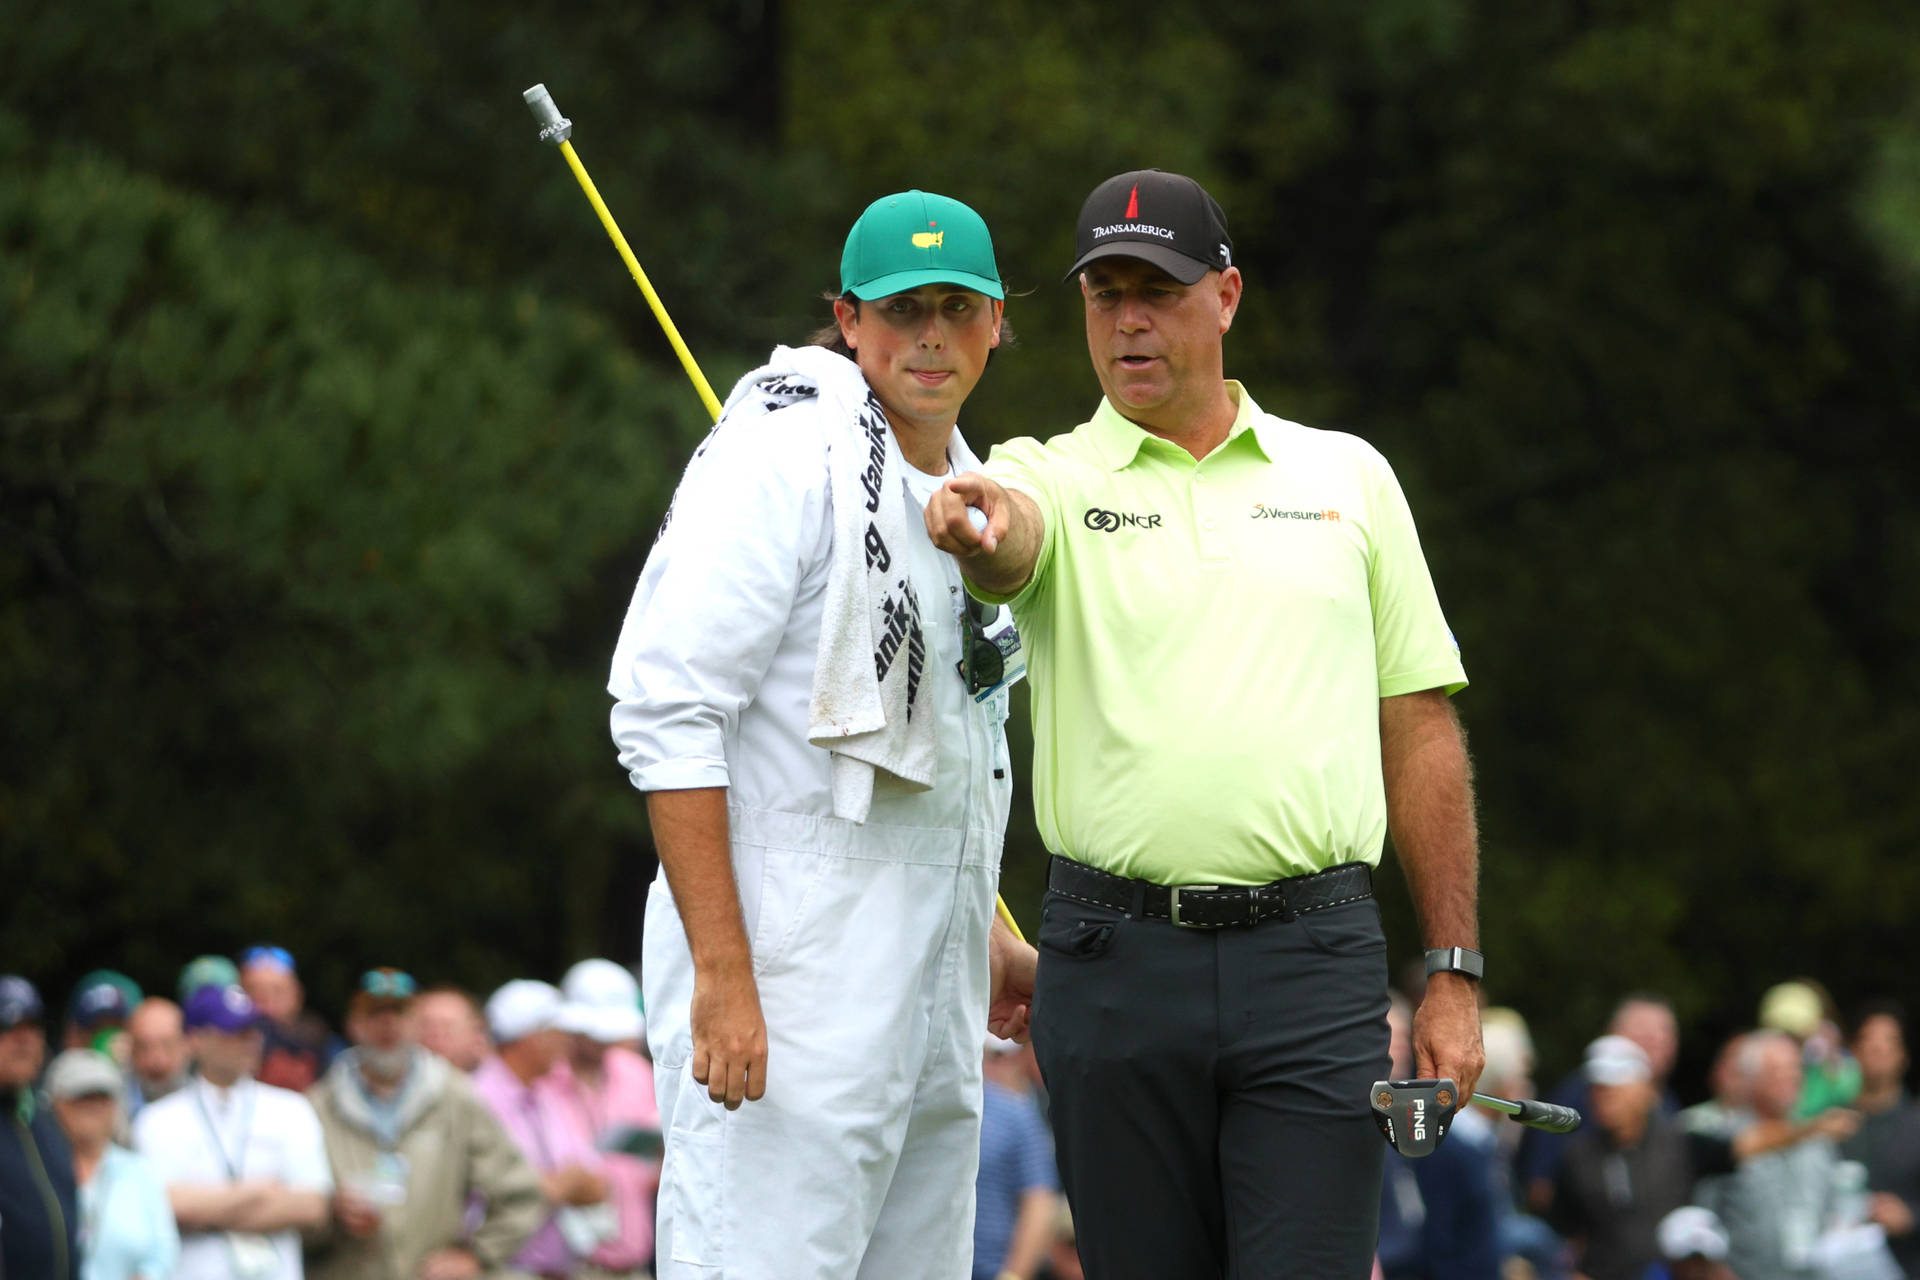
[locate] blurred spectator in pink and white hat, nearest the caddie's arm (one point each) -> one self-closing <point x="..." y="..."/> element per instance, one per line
<point x="606" y="1089"/>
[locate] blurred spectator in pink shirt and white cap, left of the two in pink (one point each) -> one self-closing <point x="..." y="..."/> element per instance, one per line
<point x="523" y="1016"/>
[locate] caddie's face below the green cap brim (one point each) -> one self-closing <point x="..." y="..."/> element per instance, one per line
<point x="923" y="350"/>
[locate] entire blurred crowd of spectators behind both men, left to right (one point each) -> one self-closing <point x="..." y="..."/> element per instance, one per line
<point x="231" y="1135"/>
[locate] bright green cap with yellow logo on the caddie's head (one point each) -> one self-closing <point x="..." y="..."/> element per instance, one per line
<point x="917" y="239"/>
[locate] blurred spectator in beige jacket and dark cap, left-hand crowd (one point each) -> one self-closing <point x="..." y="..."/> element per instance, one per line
<point x="412" y="1147"/>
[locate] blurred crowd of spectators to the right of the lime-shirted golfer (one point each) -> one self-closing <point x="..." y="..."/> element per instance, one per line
<point x="1802" y="1164"/>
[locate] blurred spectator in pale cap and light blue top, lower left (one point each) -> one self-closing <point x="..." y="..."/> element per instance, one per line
<point x="126" y="1221"/>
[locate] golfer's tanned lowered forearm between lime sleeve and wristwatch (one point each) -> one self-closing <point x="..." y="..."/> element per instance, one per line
<point x="1429" y="809"/>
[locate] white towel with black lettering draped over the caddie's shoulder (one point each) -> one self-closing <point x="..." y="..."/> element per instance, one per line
<point x="871" y="701"/>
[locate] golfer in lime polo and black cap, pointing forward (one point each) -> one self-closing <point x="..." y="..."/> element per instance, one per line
<point x="1241" y="682"/>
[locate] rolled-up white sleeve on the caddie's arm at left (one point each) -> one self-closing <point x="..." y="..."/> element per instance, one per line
<point x="715" y="598"/>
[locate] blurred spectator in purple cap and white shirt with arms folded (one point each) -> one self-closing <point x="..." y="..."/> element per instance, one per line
<point x="245" y="1162"/>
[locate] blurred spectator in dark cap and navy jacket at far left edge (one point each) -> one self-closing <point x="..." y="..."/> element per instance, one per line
<point x="39" y="1218"/>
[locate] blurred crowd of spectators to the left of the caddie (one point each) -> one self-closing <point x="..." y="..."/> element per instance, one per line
<point x="231" y="1135"/>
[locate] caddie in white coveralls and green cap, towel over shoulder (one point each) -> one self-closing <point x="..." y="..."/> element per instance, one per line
<point x="817" y="717"/>
